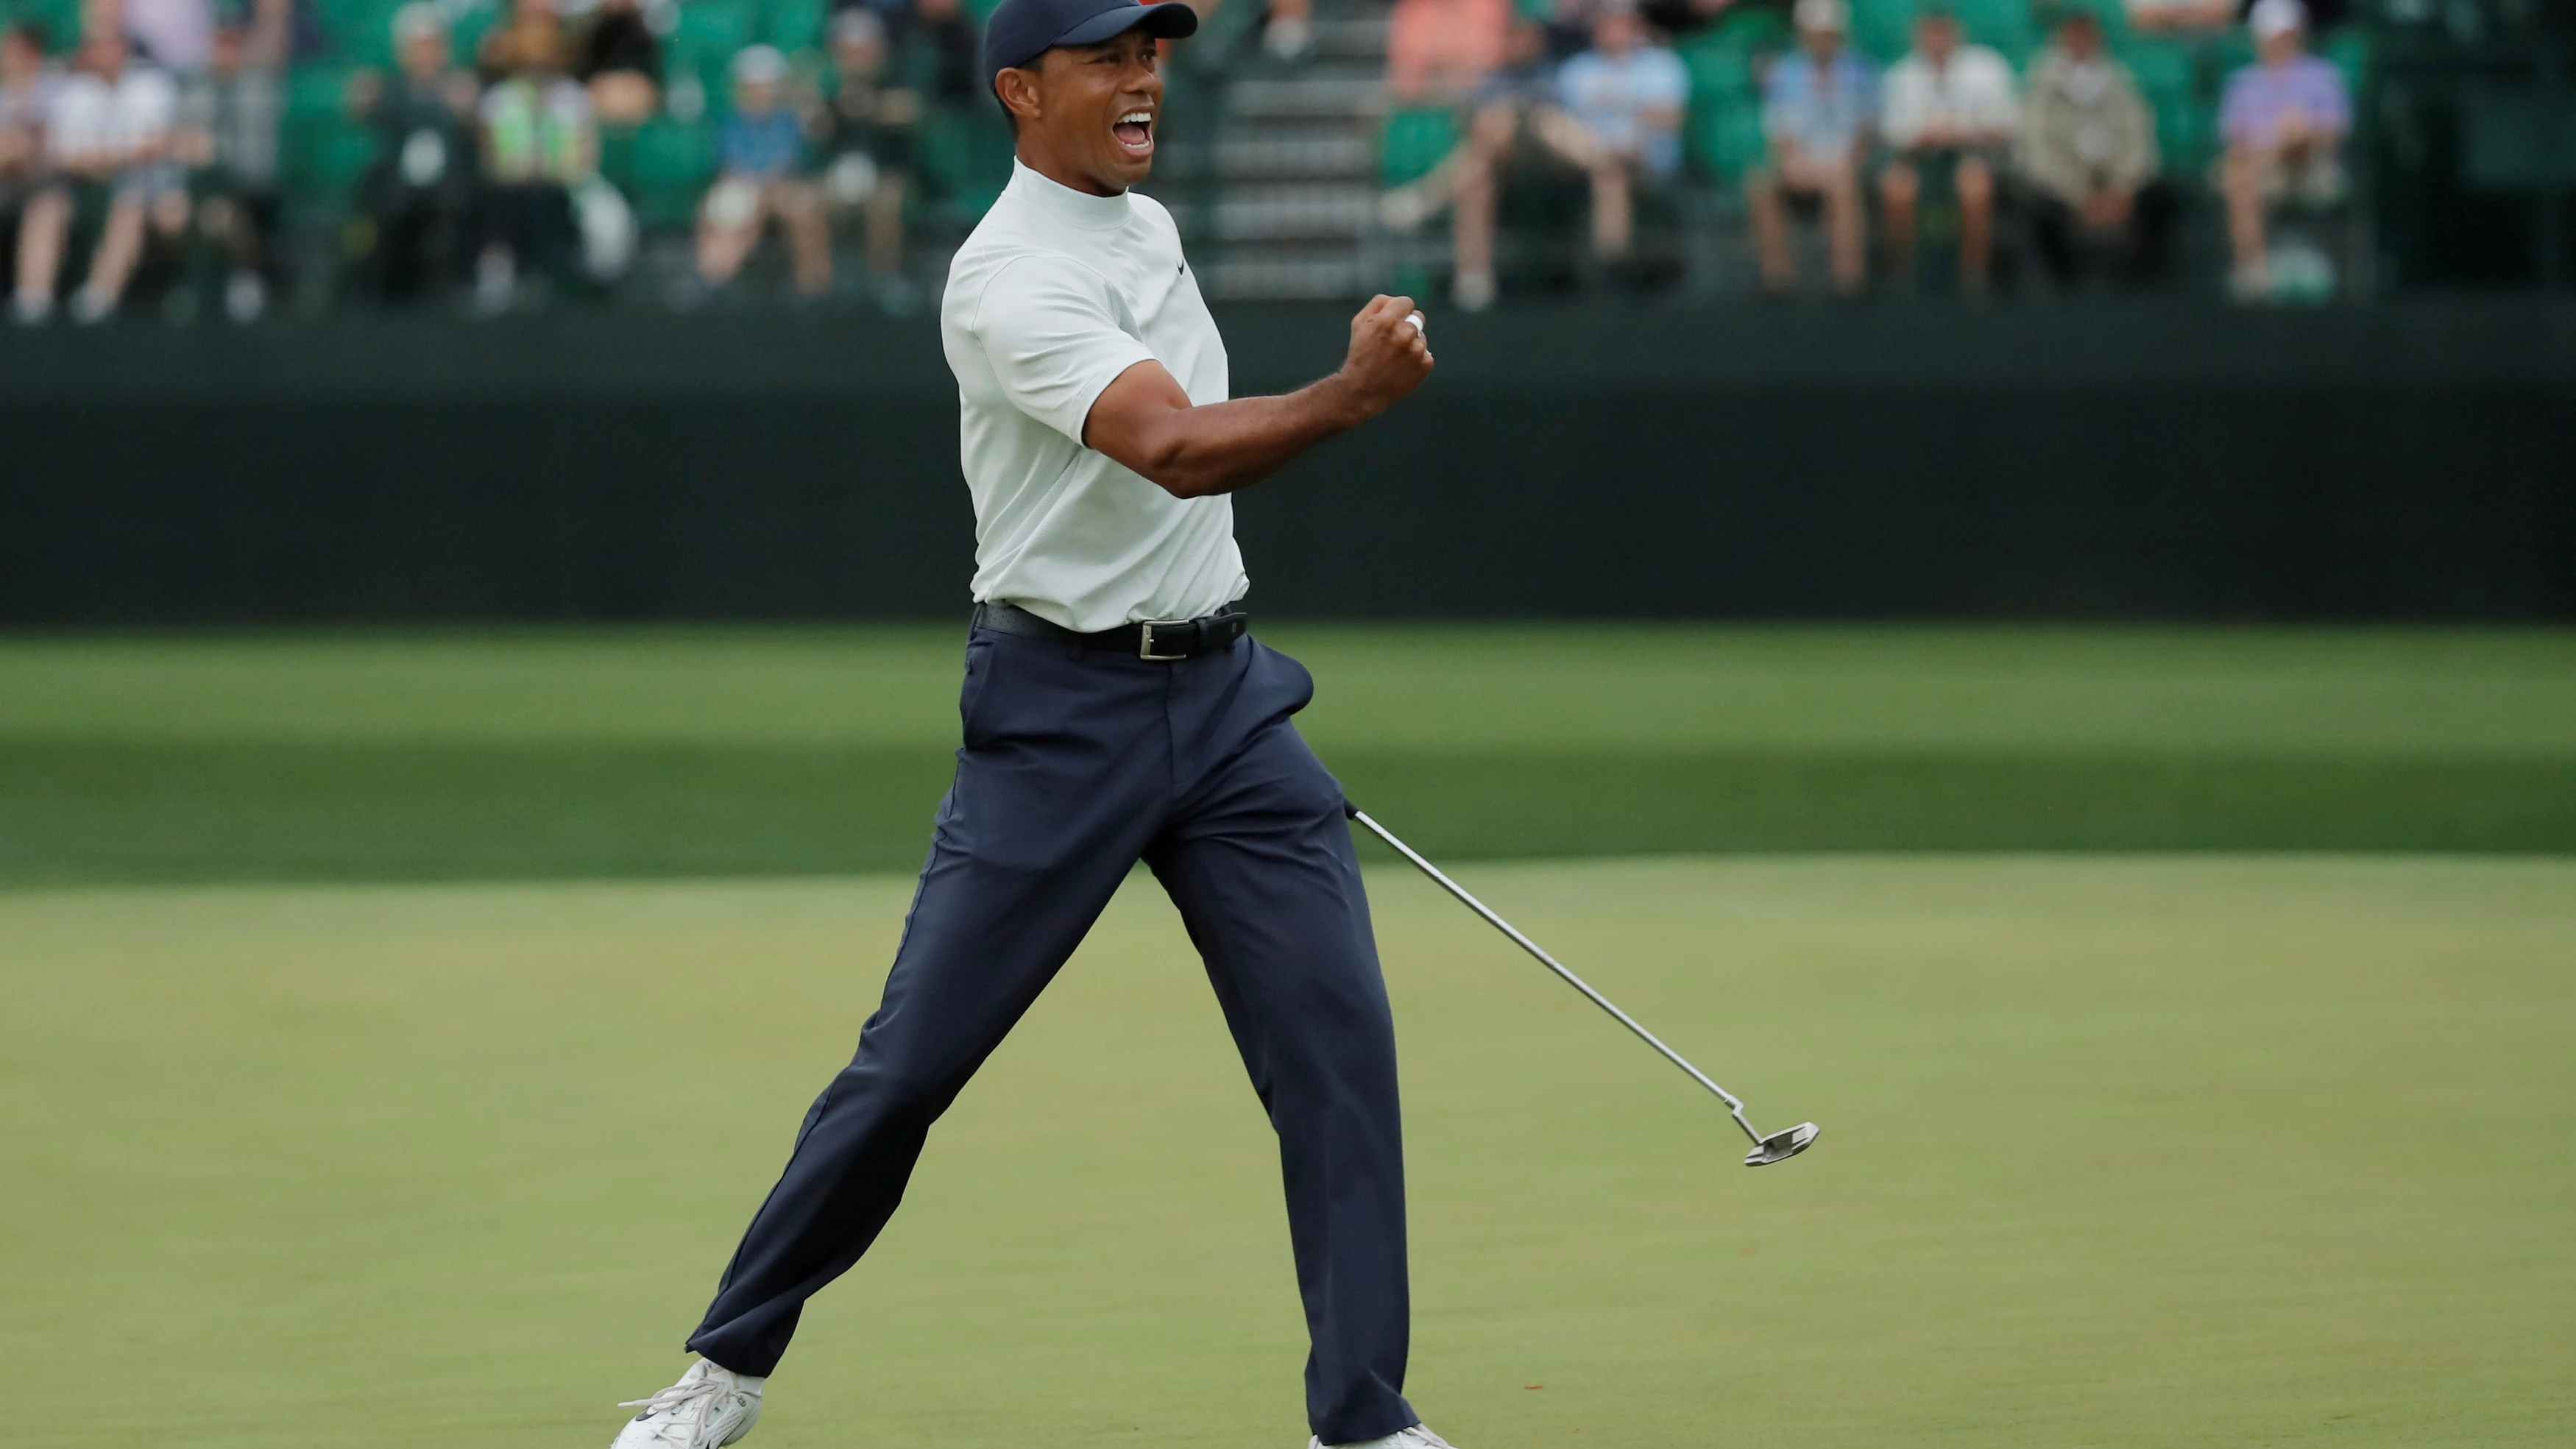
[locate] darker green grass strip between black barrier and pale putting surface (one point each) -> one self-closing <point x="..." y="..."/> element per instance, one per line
<point x="751" y="753"/>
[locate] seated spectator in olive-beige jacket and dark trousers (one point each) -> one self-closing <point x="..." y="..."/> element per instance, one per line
<point x="2088" y="156"/>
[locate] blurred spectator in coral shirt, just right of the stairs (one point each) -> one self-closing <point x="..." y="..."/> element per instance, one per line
<point x="1503" y="73"/>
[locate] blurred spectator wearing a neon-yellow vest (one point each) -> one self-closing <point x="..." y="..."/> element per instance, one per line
<point x="537" y="143"/>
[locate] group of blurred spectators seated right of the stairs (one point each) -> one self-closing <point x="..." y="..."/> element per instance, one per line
<point x="2070" y="145"/>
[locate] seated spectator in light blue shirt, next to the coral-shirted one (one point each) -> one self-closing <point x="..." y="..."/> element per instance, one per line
<point x="1624" y="120"/>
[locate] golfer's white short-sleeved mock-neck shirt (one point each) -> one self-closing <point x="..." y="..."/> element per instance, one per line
<point x="1050" y="300"/>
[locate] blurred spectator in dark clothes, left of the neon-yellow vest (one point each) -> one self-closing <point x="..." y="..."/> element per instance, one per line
<point x="419" y="194"/>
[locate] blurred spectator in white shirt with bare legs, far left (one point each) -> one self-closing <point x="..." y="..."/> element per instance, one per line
<point x="107" y="133"/>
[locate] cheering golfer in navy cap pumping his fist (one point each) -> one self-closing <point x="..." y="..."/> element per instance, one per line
<point x="1114" y="712"/>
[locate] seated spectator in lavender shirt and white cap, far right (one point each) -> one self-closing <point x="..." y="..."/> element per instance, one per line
<point x="2284" y="120"/>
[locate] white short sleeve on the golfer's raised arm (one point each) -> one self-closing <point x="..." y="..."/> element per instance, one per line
<point x="1052" y="338"/>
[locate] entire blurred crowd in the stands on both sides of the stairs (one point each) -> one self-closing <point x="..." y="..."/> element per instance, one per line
<point x="504" y="153"/>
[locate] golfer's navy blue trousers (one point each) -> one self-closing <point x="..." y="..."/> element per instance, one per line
<point x="1075" y="766"/>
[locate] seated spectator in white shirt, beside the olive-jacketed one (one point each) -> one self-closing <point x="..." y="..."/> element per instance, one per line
<point x="1949" y="115"/>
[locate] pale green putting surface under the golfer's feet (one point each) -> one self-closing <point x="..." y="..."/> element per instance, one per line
<point x="2116" y="1152"/>
